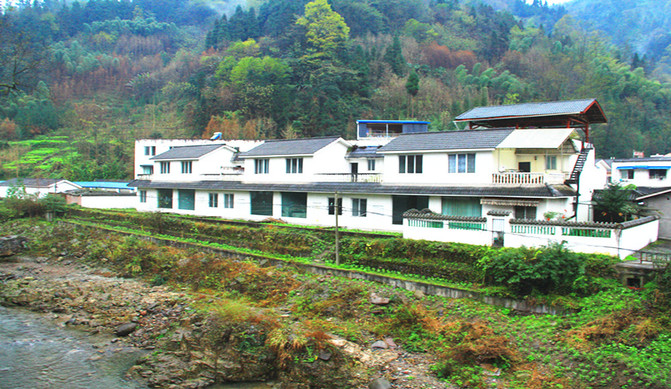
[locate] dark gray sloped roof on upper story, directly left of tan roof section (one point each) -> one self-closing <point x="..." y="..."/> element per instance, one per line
<point x="451" y="140"/>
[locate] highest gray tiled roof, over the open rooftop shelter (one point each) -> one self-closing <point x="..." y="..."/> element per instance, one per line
<point x="528" y="109"/>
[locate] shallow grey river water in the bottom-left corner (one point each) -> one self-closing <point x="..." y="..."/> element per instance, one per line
<point x="37" y="353"/>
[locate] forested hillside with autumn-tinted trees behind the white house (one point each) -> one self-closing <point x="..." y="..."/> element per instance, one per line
<point x="79" y="82"/>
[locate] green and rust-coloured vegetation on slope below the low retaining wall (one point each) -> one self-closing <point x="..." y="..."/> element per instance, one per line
<point x="615" y="337"/>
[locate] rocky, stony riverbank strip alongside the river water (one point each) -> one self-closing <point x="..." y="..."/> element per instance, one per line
<point x="191" y="349"/>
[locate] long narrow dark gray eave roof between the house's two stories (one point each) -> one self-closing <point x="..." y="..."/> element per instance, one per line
<point x="517" y="191"/>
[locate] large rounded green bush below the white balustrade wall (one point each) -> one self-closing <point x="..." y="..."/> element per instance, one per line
<point x="552" y="269"/>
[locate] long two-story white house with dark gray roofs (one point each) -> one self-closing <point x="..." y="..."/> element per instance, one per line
<point x="467" y="176"/>
